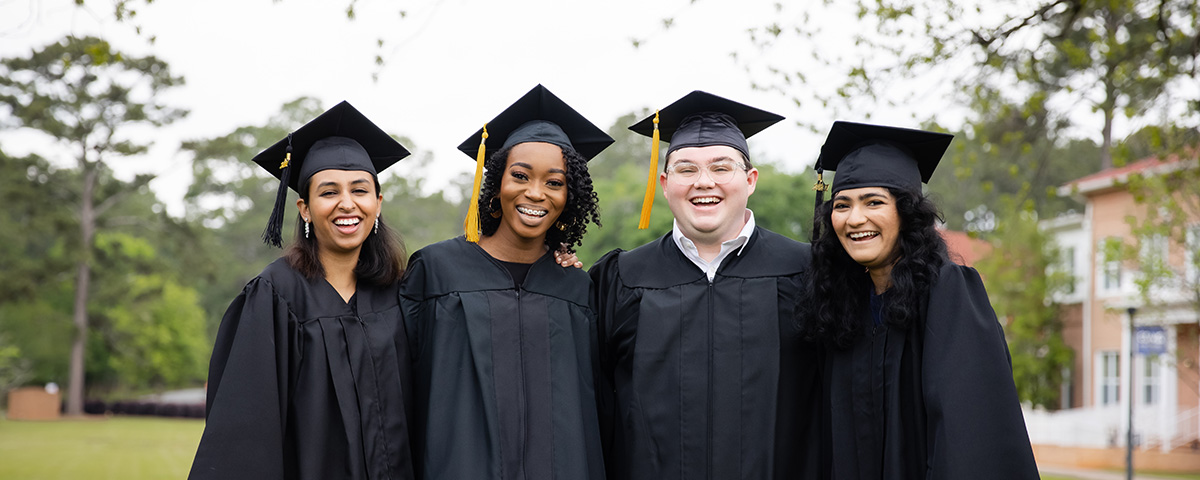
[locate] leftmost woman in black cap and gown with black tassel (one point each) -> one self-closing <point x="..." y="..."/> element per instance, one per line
<point x="310" y="371"/>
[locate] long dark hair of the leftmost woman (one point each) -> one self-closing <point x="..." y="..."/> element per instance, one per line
<point x="381" y="261"/>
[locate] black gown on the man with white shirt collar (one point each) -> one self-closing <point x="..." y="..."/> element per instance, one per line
<point x="706" y="380"/>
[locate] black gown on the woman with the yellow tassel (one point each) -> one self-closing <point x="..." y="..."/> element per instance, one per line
<point x="503" y="375"/>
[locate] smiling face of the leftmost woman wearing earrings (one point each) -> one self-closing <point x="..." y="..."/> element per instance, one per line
<point x="343" y="207"/>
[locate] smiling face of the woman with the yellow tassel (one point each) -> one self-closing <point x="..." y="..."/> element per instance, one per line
<point x="533" y="193"/>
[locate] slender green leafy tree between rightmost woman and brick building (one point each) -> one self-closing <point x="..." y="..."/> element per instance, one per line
<point x="1022" y="278"/>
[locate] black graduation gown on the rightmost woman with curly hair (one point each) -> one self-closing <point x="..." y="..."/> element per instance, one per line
<point x="935" y="403"/>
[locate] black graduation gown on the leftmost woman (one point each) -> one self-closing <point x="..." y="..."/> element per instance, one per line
<point x="304" y="386"/>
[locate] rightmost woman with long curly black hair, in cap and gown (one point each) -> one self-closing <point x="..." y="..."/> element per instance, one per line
<point x="919" y="381"/>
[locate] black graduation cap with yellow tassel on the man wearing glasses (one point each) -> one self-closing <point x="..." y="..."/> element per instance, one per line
<point x="699" y="119"/>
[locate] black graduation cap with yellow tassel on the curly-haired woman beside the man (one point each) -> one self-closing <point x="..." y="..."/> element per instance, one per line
<point x="537" y="117"/>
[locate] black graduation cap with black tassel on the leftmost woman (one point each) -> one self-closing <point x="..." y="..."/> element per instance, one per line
<point x="341" y="139"/>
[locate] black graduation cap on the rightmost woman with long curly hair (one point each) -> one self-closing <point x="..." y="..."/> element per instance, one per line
<point x="879" y="157"/>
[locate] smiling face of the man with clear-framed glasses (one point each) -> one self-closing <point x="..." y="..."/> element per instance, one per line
<point x="709" y="213"/>
